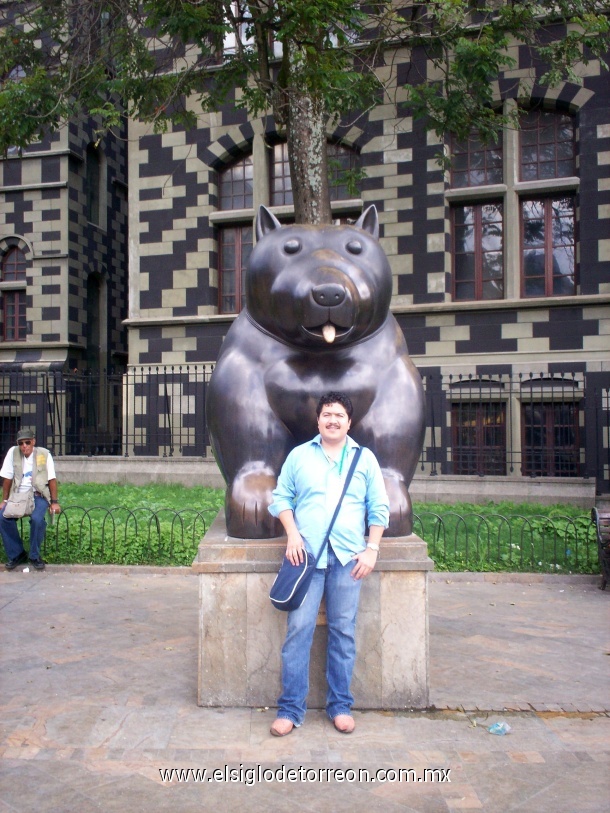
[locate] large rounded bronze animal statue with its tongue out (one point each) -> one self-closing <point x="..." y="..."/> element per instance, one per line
<point x="317" y="319"/>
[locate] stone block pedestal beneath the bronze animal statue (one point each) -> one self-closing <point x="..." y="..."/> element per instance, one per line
<point x="241" y="633"/>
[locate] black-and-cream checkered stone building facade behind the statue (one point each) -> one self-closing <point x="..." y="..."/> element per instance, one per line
<point x="501" y="266"/>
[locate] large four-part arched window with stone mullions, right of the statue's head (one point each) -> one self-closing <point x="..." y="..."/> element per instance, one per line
<point x="490" y="201"/>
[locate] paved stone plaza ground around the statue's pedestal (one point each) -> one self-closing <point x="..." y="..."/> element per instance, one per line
<point x="98" y="687"/>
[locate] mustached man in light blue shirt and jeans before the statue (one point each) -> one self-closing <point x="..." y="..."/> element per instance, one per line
<point x="304" y="500"/>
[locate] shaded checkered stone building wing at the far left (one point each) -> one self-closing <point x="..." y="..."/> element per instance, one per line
<point x="63" y="286"/>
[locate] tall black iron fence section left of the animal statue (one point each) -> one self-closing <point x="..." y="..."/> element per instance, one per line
<point x="156" y="411"/>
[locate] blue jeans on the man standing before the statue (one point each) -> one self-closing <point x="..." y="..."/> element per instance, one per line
<point x="342" y="593"/>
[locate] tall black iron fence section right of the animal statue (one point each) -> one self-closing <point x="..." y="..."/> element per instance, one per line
<point x="536" y="425"/>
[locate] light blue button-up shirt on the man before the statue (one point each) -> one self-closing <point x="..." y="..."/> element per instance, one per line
<point x="310" y="485"/>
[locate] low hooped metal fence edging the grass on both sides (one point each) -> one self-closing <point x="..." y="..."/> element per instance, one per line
<point x="557" y="544"/>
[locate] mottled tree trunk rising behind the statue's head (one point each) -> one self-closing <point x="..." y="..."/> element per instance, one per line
<point x="306" y="137"/>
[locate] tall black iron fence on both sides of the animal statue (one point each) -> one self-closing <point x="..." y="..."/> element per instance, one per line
<point x="549" y="424"/>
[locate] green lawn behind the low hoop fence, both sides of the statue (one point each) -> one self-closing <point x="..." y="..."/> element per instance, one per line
<point x="163" y="524"/>
